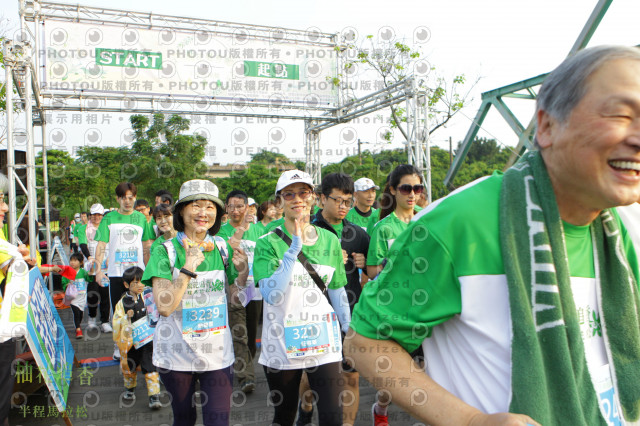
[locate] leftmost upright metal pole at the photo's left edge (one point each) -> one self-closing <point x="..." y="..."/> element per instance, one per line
<point x="9" y="64"/>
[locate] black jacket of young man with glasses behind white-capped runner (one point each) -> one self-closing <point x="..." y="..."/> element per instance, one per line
<point x="354" y="239"/>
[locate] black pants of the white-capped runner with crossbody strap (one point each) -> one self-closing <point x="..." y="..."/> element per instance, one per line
<point x="325" y="380"/>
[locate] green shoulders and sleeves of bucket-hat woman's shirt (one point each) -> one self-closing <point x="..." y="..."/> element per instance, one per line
<point x="160" y="266"/>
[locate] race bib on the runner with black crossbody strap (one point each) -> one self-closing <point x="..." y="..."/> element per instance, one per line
<point x="304" y="338"/>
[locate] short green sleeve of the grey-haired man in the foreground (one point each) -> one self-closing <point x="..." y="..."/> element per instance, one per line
<point x="417" y="290"/>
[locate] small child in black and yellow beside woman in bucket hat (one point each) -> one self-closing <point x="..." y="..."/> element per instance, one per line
<point x="132" y="334"/>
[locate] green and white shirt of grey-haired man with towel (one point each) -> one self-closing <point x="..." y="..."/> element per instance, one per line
<point x="445" y="288"/>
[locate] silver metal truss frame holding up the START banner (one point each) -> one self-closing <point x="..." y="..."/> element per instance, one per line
<point x="22" y="72"/>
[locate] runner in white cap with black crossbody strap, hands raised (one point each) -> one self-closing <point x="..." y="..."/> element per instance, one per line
<point x="300" y="331"/>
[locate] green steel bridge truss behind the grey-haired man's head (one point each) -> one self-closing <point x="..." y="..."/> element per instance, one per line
<point x="494" y="98"/>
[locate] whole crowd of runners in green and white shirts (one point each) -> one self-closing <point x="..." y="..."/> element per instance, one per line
<point x="514" y="300"/>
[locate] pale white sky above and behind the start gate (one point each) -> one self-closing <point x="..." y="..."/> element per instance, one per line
<point x="496" y="42"/>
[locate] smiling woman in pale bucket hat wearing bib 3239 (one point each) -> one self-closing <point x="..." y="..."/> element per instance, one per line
<point x="192" y="342"/>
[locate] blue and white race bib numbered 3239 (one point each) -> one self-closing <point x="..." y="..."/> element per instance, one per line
<point x="204" y="314"/>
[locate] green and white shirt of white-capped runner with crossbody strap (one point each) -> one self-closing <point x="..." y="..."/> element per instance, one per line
<point x="302" y="302"/>
